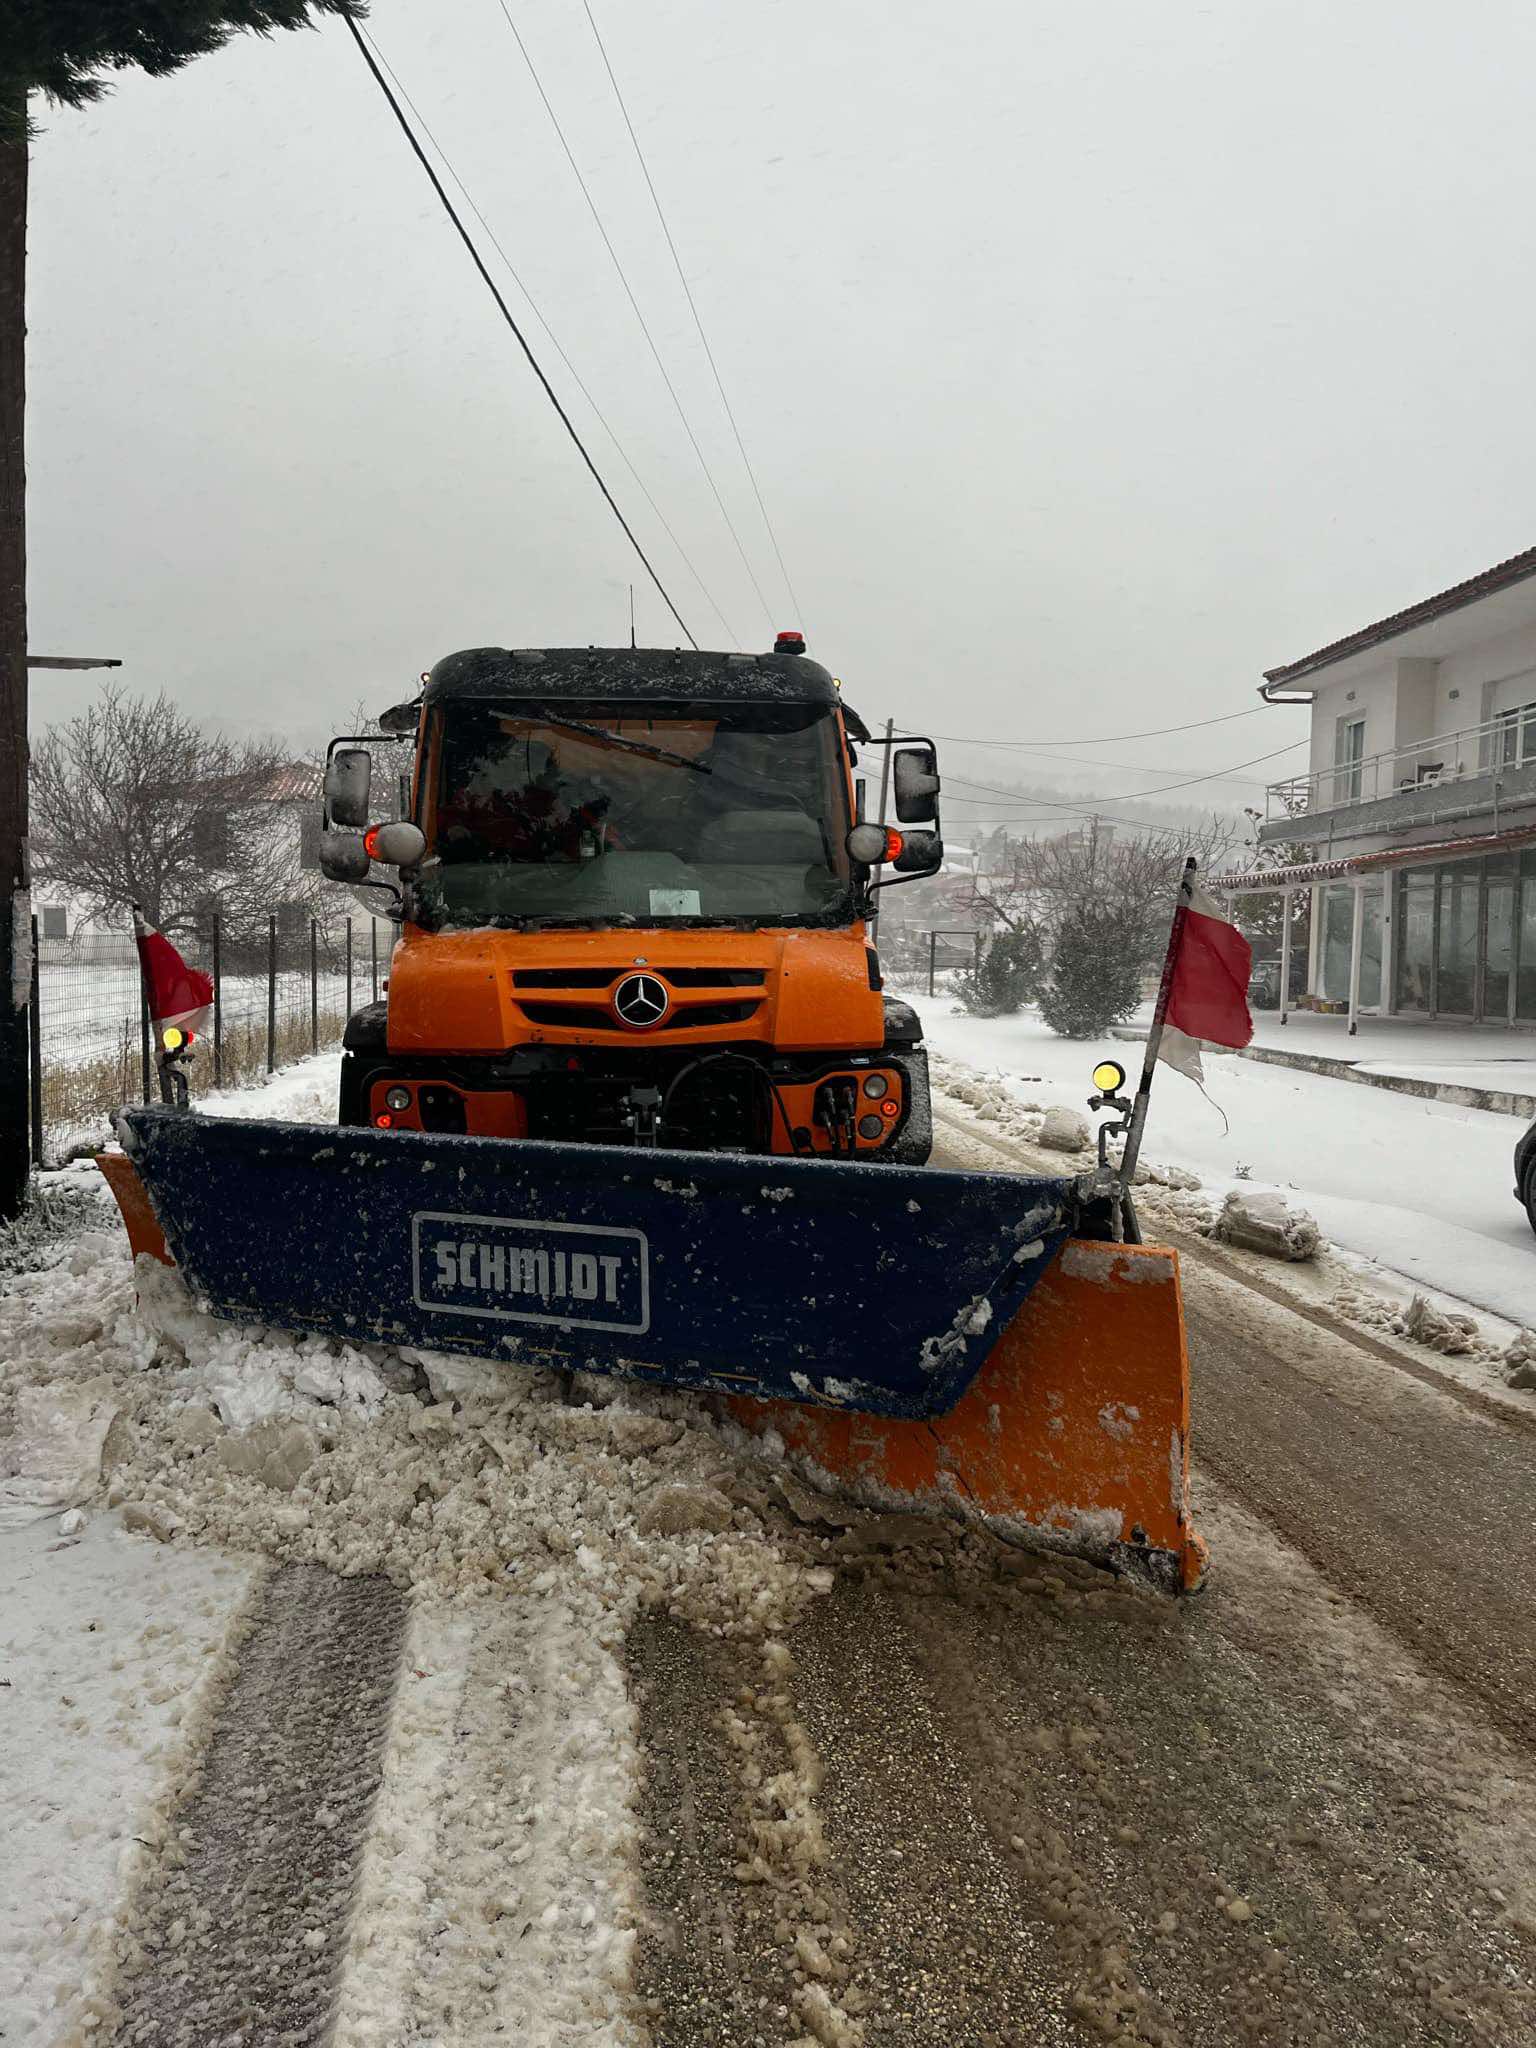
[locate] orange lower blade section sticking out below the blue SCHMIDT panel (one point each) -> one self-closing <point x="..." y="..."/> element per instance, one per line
<point x="1074" y="1437"/>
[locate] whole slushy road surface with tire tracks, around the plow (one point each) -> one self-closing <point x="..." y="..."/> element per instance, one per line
<point x="581" y="1725"/>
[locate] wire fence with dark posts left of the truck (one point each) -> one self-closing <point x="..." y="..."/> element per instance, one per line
<point x="275" y="998"/>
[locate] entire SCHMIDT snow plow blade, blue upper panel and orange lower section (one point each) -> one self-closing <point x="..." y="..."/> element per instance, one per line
<point x="882" y="1318"/>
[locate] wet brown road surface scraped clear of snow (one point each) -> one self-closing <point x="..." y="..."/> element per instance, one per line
<point x="1005" y="1801"/>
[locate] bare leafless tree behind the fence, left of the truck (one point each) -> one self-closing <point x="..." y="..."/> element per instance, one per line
<point x="138" y="804"/>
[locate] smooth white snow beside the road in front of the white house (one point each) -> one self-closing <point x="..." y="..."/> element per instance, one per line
<point x="1422" y="1189"/>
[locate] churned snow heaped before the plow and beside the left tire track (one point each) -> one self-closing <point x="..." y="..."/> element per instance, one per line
<point x="525" y="1529"/>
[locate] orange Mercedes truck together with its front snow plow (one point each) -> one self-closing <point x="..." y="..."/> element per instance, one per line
<point x="638" y="1103"/>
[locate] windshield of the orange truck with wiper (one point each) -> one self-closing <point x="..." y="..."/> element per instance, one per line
<point x="587" y="814"/>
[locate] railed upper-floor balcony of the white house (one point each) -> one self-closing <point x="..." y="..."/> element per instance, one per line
<point x="1471" y="777"/>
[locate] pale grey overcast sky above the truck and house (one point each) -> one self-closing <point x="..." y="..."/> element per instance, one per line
<point x="1091" y="359"/>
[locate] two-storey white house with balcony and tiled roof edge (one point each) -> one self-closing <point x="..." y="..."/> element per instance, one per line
<point x="1418" y="808"/>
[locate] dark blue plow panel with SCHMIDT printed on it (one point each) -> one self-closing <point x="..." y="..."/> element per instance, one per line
<point x="867" y="1287"/>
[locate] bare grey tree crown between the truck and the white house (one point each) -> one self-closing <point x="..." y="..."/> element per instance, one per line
<point x="1129" y="878"/>
